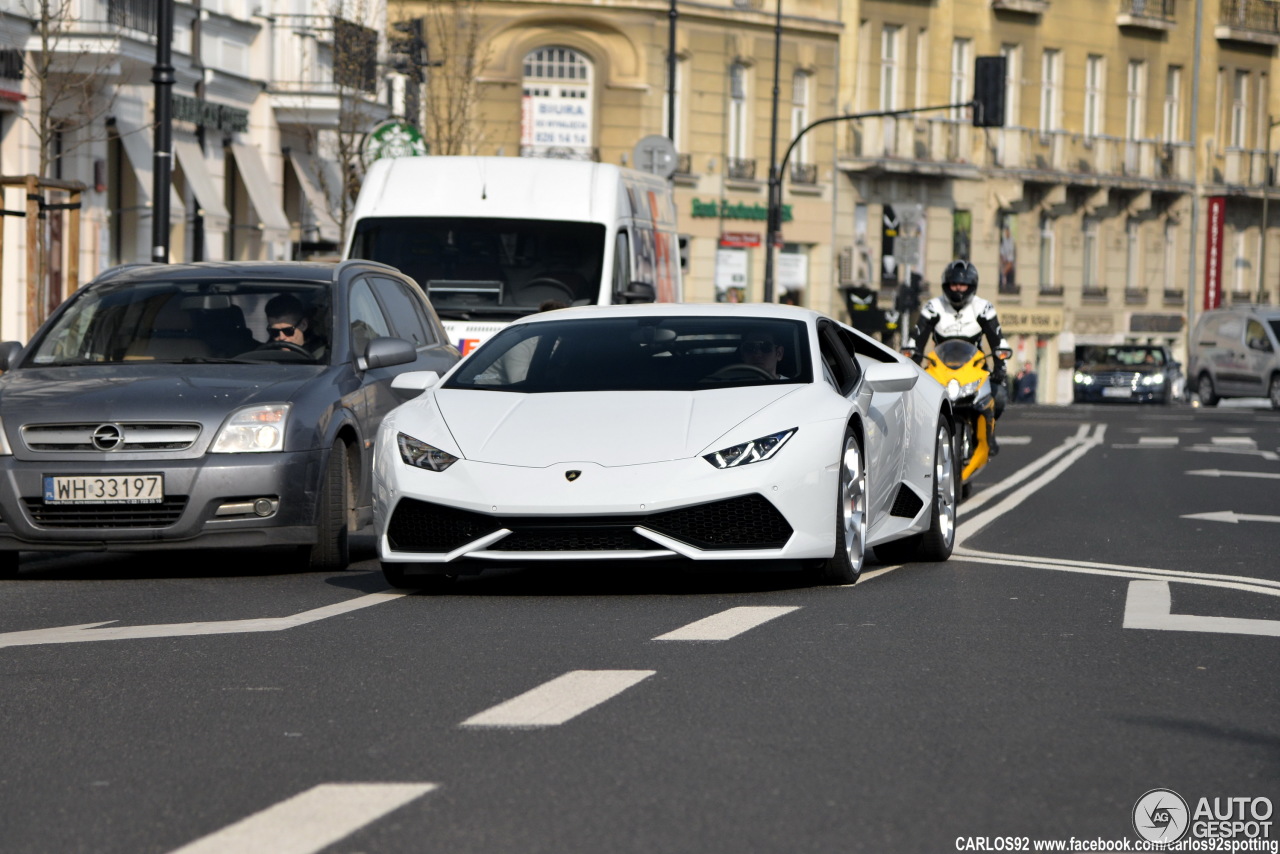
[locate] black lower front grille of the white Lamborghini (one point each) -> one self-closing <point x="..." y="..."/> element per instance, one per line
<point x="748" y="522"/>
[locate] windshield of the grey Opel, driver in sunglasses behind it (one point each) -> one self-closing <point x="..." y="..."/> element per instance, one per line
<point x="190" y="322"/>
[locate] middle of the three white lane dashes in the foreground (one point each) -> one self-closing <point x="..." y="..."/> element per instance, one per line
<point x="561" y="700"/>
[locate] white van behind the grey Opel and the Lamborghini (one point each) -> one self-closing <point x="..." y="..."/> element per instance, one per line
<point x="491" y="240"/>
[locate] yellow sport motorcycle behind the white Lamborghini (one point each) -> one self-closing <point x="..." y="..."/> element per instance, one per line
<point x="962" y="369"/>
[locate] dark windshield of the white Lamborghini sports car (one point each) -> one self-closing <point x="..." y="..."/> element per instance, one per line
<point x="639" y="354"/>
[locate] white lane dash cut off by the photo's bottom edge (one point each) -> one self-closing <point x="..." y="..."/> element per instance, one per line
<point x="310" y="821"/>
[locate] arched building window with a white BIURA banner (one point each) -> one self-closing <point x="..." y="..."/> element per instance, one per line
<point x="559" y="106"/>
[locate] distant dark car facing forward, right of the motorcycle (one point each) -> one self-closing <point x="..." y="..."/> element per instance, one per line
<point x="1132" y="373"/>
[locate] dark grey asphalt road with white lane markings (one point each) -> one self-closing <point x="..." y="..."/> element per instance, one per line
<point x="1095" y="638"/>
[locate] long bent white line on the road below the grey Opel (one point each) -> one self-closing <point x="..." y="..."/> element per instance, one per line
<point x="86" y="633"/>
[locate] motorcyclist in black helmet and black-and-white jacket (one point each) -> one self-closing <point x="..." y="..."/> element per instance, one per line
<point x="961" y="313"/>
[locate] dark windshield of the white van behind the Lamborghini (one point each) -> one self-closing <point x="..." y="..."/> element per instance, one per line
<point x="490" y="268"/>
